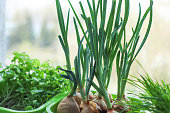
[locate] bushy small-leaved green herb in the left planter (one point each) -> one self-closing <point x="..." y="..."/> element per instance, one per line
<point x="28" y="83"/>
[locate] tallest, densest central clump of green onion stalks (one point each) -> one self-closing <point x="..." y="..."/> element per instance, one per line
<point x="104" y="42"/>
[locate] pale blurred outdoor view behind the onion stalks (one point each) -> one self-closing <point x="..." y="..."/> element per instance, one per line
<point x="32" y="26"/>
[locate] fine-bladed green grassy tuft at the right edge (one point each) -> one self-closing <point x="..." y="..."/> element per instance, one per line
<point x="155" y="95"/>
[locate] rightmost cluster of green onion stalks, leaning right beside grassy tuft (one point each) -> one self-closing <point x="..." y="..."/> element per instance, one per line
<point x="129" y="51"/>
